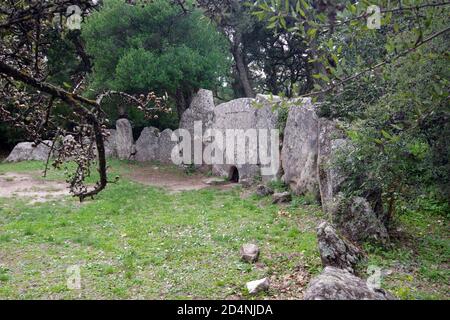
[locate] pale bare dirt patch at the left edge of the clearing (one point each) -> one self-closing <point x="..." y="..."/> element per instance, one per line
<point x="25" y="185"/>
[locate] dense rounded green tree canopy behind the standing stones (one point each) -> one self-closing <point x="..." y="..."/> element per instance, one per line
<point x="154" y="46"/>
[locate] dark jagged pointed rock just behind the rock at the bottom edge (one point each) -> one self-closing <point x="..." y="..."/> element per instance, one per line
<point x="335" y="251"/>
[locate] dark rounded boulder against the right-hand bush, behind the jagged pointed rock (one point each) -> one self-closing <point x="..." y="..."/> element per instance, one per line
<point x="355" y="219"/>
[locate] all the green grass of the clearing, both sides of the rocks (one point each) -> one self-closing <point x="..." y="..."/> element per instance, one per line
<point x="142" y="242"/>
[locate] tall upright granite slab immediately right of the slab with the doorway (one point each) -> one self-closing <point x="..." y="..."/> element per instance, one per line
<point x="299" y="154"/>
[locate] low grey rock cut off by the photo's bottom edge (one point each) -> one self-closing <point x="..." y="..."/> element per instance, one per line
<point x="339" y="284"/>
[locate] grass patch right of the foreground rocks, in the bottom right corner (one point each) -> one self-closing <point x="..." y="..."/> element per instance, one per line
<point x="418" y="258"/>
